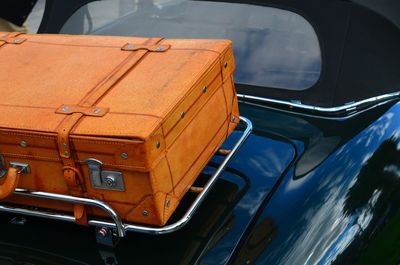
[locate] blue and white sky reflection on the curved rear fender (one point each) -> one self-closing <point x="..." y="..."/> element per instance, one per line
<point x="344" y="203"/>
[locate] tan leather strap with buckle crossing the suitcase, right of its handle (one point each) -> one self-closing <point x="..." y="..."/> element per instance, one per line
<point x="86" y="107"/>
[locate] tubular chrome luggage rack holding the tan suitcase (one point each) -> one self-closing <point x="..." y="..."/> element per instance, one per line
<point x="107" y="230"/>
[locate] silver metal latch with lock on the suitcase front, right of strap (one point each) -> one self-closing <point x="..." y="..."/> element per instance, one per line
<point x="104" y="179"/>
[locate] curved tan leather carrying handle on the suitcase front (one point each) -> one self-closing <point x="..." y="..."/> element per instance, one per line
<point x="11" y="179"/>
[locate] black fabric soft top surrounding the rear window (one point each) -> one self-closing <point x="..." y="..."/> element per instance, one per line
<point x="359" y="40"/>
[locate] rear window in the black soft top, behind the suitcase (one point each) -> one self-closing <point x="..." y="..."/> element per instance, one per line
<point x="273" y="47"/>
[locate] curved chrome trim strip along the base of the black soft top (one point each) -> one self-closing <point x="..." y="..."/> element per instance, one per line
<point x="346" y="109"/>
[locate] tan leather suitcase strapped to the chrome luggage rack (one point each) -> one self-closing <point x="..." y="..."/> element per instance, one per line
<point x="125" y="120"/>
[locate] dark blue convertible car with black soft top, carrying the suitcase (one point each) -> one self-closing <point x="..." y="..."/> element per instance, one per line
<point x="317" y="181"/>
